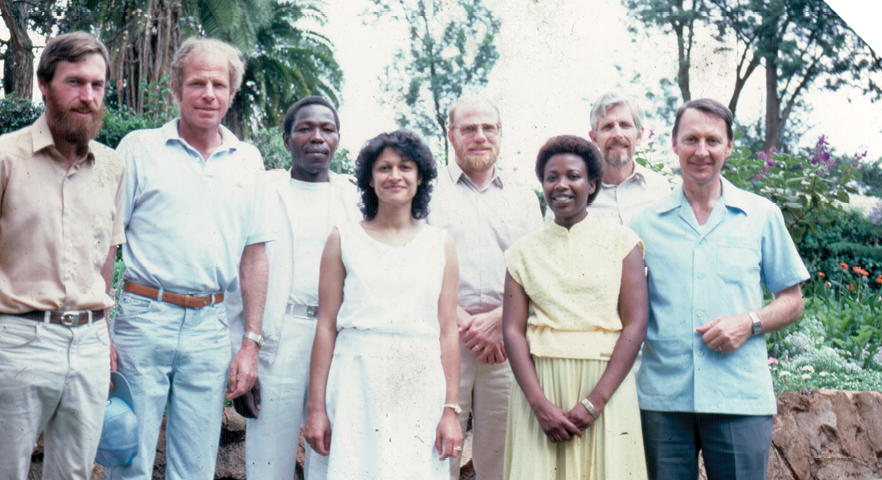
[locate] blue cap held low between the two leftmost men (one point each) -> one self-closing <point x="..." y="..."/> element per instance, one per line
<point x="119" y="438"/>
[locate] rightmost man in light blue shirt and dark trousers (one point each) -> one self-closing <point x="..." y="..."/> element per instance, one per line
<point x="704" y="384"/>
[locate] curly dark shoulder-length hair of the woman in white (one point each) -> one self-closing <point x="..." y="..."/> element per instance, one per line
<point x="410" y="147"/>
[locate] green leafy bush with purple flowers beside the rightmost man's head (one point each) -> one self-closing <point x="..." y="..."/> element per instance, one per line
<point x="801" y="185"/>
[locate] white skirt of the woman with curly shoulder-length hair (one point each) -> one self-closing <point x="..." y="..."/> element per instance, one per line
<point x="384" y="399"/>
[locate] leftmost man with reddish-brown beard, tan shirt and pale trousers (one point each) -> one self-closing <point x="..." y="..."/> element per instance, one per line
<point x="60" y="222"/>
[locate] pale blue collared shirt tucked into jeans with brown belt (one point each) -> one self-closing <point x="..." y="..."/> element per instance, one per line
<point x="188" y="219"/>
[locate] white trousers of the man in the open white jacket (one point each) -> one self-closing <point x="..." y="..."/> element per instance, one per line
<point x="271" y="440"/>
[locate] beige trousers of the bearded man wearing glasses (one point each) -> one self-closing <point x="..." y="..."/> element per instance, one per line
<point x="483" y="391"/>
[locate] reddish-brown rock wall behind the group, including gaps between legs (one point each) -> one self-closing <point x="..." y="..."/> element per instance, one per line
<point x="817" y="435"/>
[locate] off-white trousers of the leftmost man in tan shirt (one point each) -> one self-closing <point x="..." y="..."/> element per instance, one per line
<point x="53" y="379"/>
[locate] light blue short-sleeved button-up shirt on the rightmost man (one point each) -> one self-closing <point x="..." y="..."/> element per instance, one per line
<point x="697" y="274"/>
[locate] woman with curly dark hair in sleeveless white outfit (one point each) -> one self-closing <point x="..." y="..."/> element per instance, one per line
<point x="384" y="377"/>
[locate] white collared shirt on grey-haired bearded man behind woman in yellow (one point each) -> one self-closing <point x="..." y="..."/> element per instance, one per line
<point x="618" y="203"/>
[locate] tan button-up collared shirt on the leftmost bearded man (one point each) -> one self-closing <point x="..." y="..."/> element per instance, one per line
<point x="56" y="224"/>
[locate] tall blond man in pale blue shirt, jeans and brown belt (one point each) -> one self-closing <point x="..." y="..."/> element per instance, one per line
<point x="196" y="228"/>
